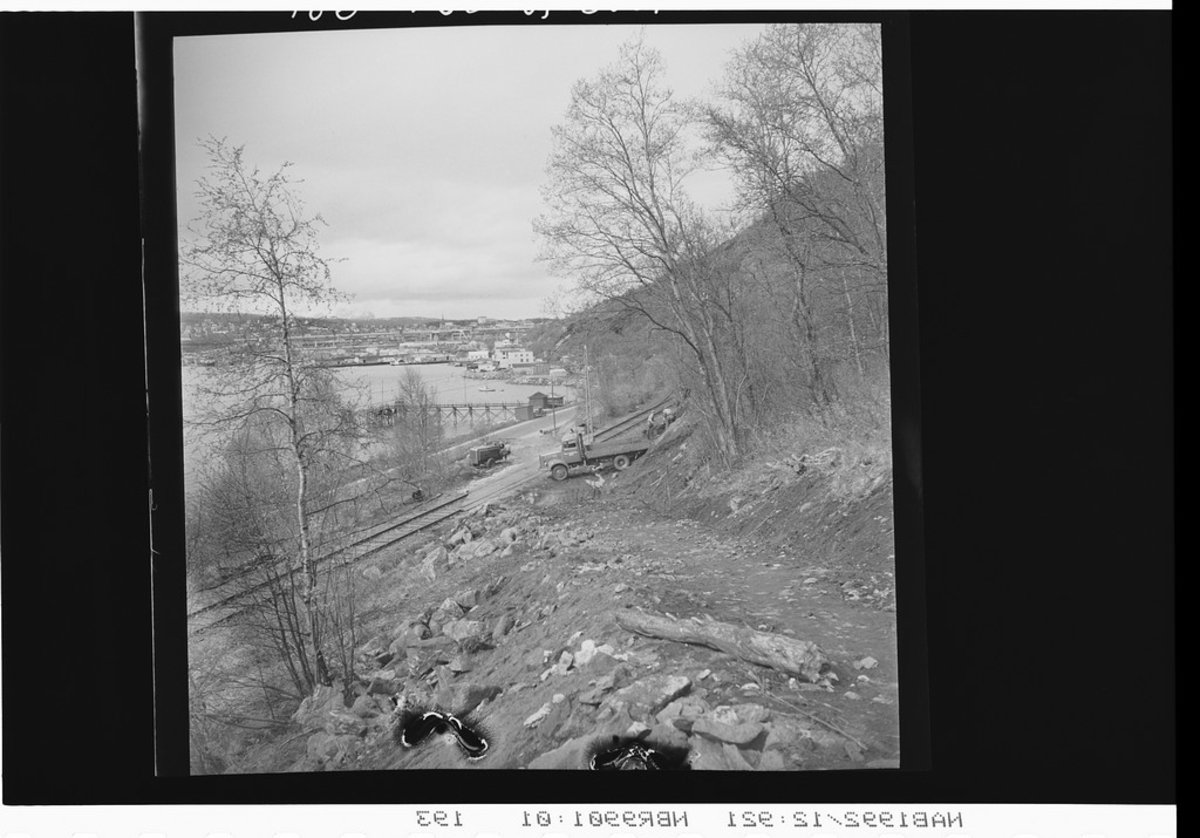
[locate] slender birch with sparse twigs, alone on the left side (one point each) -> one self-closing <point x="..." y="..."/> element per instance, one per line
<point x="254" y="250"/>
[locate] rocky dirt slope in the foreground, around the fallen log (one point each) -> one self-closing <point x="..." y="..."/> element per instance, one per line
<point x="520" y="616"/>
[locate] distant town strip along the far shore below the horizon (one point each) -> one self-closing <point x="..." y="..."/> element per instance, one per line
<point x="484" y="343"/>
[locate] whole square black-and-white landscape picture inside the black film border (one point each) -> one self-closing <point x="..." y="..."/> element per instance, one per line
<point x="537" y="399"/>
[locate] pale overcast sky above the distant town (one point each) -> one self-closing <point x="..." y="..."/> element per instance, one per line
<point x="424" y="151"/>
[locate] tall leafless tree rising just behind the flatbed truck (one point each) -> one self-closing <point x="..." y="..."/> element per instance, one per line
<point x="623" y="228"/>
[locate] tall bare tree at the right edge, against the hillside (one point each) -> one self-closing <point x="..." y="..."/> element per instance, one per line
<point x="802" y="128"/>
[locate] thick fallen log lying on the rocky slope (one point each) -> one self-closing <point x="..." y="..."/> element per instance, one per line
<point x="801" y="659"/>
